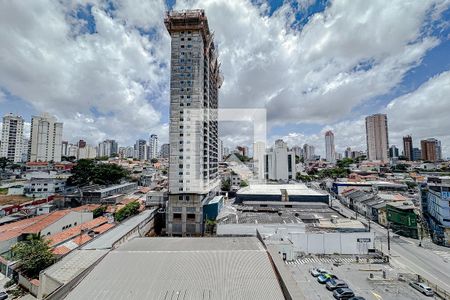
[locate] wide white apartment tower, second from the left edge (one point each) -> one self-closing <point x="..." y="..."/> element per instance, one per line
<point x="45" y="138"/>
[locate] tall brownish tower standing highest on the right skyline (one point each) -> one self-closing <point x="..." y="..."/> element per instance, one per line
<point x="377" y="137"/>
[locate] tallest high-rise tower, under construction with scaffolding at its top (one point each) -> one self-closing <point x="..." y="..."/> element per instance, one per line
<point x="194" y="85"/>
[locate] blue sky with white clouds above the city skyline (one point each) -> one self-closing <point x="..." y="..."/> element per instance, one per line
<point x="102" y="67"/>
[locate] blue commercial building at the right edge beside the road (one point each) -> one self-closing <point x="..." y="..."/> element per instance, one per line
<point x="436" y="209"/>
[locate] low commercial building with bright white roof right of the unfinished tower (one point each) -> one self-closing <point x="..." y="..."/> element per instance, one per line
<point x="279" y="193"/>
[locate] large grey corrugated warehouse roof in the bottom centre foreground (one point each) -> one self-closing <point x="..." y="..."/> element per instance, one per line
<point x="183" y="268"/>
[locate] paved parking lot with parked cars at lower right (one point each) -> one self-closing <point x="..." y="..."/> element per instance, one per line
<point x="357" y="278"/>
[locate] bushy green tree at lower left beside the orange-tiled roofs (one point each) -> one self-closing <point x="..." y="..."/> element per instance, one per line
<point x="33" y="254"/>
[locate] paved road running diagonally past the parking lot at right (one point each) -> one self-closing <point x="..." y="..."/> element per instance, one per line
<point x="407" y="254"/>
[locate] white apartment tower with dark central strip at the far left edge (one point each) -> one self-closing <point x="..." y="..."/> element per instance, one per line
<point x="12" y="138"/>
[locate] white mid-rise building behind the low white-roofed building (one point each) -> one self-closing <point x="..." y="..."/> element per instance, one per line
<point x="279" y="162"/>
